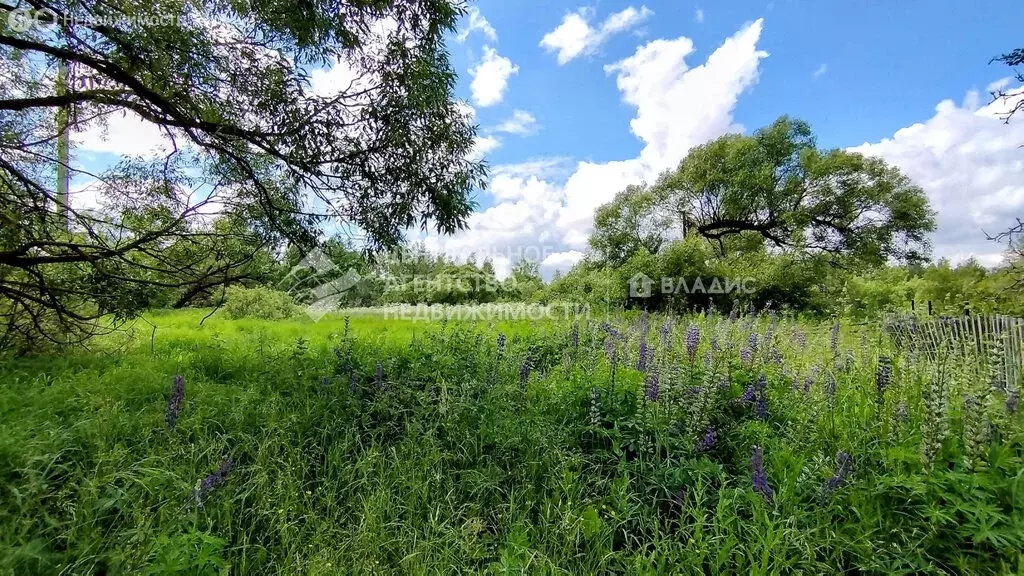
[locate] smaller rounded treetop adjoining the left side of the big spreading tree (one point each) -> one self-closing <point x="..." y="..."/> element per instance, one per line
<point x="634" y="221"/>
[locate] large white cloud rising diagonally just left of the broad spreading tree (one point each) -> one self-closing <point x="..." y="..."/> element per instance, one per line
<point x="535" y="216"/>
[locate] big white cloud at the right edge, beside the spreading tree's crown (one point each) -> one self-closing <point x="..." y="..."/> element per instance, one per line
<point x="970" y="164"/>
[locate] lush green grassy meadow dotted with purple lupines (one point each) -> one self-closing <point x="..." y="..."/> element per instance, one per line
<point x="641" y="445"/>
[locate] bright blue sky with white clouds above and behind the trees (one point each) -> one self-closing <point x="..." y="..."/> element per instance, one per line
<point x="576" y="101"/>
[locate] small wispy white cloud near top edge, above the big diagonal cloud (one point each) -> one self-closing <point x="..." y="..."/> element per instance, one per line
<point x="576" y="37"/>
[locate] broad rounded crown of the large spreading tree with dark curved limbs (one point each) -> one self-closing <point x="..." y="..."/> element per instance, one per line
<point x="777" y="188"/>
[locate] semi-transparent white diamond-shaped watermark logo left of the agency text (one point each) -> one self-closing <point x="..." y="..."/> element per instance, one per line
<point x="319" y="282"/>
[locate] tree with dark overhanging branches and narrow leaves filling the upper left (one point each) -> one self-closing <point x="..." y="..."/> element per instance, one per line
<point x="248" y="139"/>
